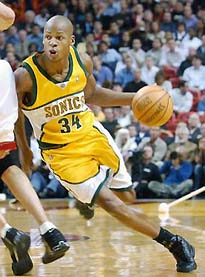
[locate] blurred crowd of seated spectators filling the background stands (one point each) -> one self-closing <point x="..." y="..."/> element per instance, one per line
<point x="132" y="44"/>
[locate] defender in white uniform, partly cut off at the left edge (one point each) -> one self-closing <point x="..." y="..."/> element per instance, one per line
<point x="17" y="241"/>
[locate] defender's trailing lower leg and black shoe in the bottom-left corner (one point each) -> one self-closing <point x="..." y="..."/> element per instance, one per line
<point x="18" y="244"/>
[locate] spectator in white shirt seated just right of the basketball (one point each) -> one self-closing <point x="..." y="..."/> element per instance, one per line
<point x="182" y="97"/>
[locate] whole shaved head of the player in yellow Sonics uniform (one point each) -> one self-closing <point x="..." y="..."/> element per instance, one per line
<point x="58" y="37"/>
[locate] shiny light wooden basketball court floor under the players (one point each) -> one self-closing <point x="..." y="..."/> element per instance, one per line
<point x="102" y="247"/>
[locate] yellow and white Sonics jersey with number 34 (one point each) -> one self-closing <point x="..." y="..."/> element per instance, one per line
<point x="57" y="110"/>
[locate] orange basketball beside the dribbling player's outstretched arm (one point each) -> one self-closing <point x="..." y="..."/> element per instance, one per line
<point x="152" y="106"/>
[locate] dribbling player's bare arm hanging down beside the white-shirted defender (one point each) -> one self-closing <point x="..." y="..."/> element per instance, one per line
<point x="23" y="88"/>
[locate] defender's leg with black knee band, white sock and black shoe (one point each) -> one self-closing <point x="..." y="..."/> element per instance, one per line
<point x="55" y="243"/>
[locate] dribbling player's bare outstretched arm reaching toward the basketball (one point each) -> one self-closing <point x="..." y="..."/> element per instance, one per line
<point x="103" y="97"/>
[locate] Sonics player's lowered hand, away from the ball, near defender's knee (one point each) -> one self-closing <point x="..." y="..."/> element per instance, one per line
<point x="26" y="160"/>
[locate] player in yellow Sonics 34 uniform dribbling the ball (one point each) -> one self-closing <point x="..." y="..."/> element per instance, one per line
<point x="54" y="87"/>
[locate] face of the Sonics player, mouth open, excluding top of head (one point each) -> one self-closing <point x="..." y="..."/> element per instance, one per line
<point x="57" y="41"/>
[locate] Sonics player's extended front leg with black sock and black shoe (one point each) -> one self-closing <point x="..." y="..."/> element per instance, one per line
<point x="182" y="251"/>
